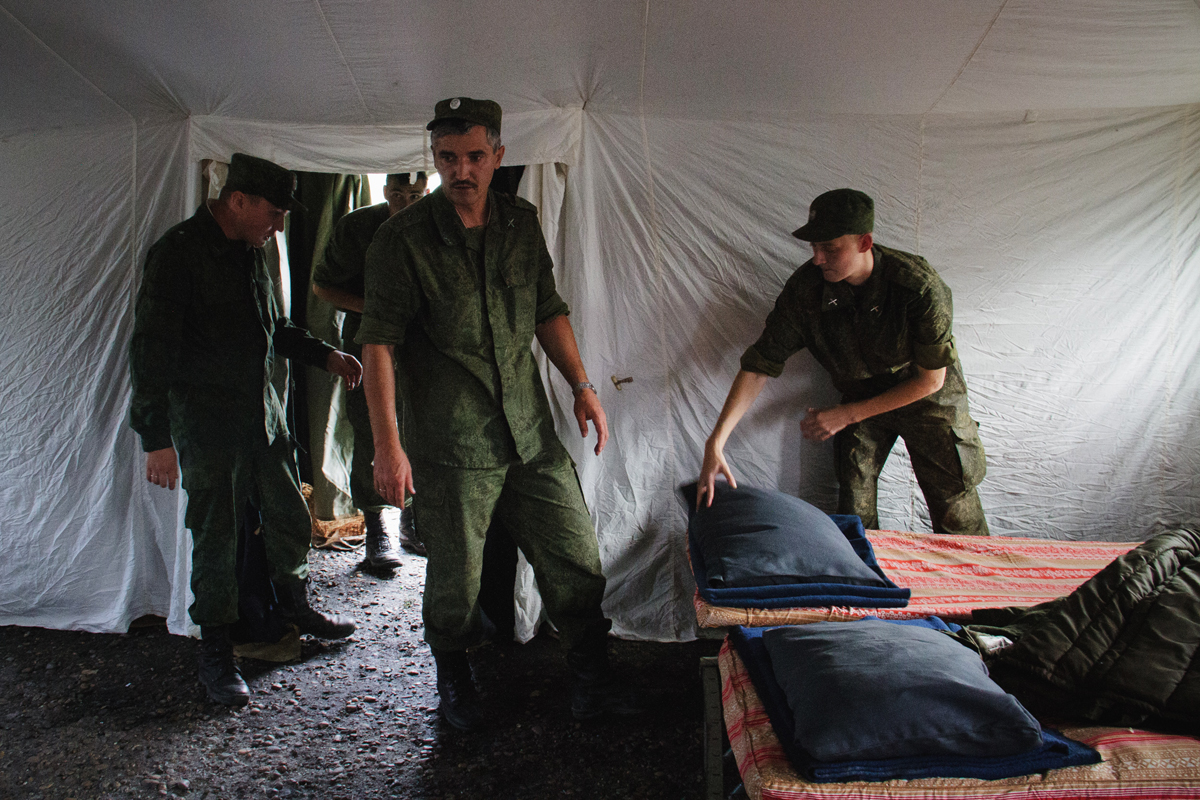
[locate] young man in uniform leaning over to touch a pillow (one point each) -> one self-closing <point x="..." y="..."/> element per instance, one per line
<point x="880" y="321"/>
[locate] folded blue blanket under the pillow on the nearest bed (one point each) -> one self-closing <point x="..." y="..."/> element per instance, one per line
<point x="1058" y="751"/>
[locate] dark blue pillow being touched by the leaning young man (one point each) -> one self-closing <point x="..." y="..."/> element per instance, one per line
<point x="758" y="538"/>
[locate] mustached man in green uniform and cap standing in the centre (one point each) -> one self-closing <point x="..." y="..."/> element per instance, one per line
<point x="458" y="287"/>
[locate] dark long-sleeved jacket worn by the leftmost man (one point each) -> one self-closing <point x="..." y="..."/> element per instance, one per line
<point x="211" y="342"/>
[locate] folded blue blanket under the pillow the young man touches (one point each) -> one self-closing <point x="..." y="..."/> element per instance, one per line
<point x="807" y="596"/>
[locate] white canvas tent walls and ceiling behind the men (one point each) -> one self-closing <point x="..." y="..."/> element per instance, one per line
<point x="1043" y="155"/>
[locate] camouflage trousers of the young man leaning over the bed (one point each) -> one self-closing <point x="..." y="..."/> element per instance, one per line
<point x="947" y="459"/>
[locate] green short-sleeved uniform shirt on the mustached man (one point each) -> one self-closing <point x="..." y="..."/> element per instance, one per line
<point x="461" y="308"/>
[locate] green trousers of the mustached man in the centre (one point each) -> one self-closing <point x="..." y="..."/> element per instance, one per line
<point x="542" y="506"/>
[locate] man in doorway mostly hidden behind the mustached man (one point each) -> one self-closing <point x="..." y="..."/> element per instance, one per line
<point x="338" y="279"/>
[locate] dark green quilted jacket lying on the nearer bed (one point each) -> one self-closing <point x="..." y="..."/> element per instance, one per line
<point x="1123" y="649"/>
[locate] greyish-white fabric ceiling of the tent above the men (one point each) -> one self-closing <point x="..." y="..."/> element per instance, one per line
<point x="346" y="62"/>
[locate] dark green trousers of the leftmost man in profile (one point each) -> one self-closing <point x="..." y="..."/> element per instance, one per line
<point x="220" y="483"/>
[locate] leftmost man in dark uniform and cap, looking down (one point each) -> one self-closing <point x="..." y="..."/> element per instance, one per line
<point x="211" y="381"/>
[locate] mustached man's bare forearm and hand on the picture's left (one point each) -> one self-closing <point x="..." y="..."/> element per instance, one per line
<point x="393" y="473"/>
